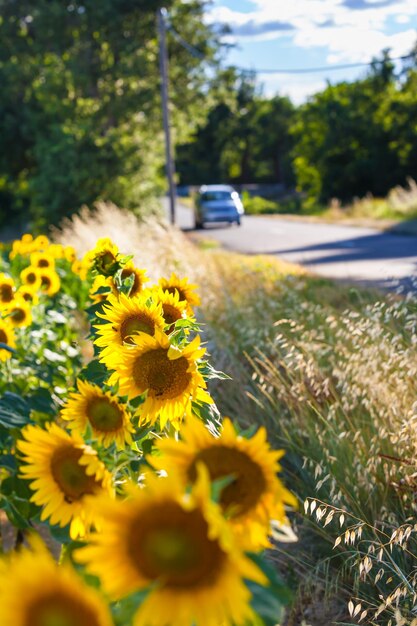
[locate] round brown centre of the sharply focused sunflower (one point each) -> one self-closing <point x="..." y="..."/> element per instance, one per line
<point x="162" y="377"/>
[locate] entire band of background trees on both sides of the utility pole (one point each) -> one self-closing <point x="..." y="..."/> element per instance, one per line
<point x="80" y="114"/>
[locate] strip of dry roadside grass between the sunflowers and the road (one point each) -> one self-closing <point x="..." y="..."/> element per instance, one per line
<point x="331" y="371"/>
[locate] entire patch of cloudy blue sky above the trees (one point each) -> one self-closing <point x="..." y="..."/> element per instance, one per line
<point x="295" y="34"/>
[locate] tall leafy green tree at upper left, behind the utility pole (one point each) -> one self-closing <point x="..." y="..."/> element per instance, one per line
<point x="80" y="102"/>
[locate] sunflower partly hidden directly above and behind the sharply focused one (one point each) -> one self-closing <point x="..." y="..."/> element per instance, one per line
<point x="124" y="318"/>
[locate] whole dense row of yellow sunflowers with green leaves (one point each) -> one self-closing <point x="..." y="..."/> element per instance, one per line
<point x="113" y="450"/>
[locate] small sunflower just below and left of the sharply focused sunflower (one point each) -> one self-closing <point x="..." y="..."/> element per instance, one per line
<point x="107" y="418"/>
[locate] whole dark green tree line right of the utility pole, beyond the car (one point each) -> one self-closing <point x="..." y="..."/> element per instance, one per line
<point x="351" y="139"/>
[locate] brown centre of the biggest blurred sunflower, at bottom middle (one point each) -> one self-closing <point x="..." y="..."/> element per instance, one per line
<point x="169" y="544"/>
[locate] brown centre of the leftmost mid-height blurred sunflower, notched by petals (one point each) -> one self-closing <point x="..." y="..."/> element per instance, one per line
<point x="70" y="476"/>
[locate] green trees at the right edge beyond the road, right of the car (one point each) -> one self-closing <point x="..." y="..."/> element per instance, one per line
<point x="357" y="138"/>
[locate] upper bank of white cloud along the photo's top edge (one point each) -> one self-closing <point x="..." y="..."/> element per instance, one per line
<point x="351" y="34"/>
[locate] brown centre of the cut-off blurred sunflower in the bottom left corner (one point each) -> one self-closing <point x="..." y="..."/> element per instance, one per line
<point x="60" y="609"/>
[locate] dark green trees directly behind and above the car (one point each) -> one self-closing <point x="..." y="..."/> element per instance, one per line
<point x="245" y="137"/>
